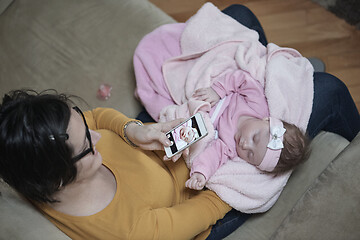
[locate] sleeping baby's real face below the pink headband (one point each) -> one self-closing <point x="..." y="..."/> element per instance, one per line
<point x="251" y="139"/>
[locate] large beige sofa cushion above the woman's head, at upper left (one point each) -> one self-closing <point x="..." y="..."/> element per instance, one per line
<point x="74" y="46"/>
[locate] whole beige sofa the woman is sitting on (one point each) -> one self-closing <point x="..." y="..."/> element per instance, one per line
<point x="75" y="46"/>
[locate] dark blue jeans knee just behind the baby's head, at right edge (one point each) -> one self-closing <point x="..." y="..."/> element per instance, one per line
<point x="333" y="108"/>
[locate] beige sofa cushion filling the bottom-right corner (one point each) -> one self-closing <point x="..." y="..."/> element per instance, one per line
<point x="330" y="209"/>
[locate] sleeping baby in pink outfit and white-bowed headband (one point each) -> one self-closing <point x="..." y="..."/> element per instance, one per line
<point x="246" y="131"/>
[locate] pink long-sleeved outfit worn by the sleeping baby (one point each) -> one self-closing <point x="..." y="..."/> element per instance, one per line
<point x="244" y="97"/>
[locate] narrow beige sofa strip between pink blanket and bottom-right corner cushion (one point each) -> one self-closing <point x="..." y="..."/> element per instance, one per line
<point x="325" y="147"/>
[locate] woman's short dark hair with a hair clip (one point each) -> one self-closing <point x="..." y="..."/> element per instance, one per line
<point x="34" y="158"/>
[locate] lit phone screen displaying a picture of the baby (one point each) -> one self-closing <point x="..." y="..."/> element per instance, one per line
<point x="184" y="135"/>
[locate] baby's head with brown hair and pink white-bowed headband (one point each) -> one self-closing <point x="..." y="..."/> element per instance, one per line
<point x="271" y="144"/>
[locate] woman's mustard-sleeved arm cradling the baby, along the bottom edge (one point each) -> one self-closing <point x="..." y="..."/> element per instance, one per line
<point x="182" y="221"/>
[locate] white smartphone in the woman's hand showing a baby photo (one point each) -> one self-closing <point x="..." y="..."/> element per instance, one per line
<point x="186" y="133"/>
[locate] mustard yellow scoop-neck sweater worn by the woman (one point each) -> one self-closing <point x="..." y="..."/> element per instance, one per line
<point x="151" y="201"/>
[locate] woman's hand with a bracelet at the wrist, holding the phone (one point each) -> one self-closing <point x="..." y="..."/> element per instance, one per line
<point x="152" y="136"/>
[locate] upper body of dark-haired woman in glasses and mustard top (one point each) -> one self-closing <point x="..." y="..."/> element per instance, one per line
<point x="83" y="174"/>
